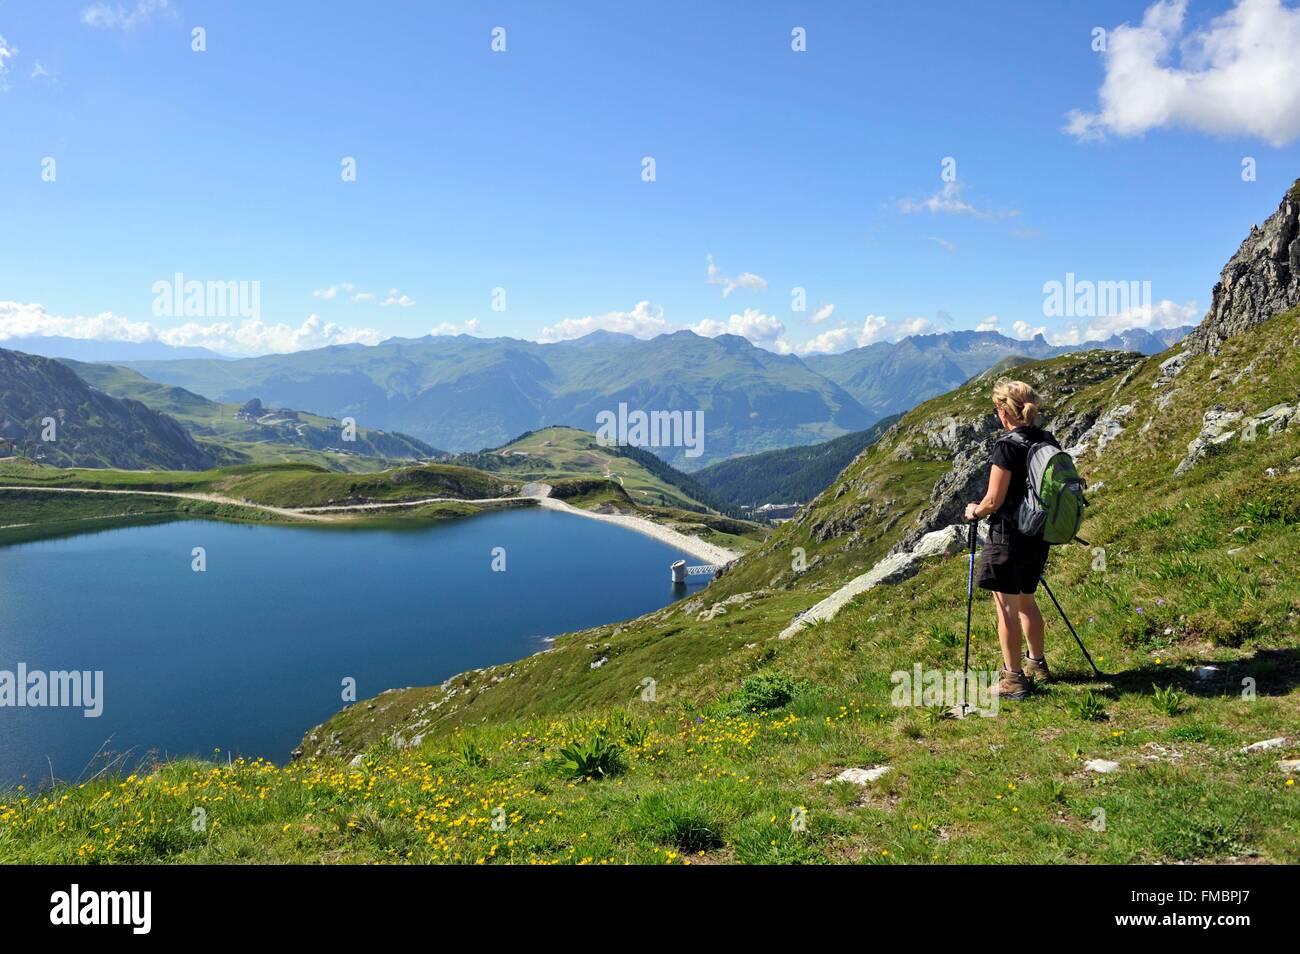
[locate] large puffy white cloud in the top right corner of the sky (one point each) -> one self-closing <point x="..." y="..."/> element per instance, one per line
<point x="1240" y="76"/>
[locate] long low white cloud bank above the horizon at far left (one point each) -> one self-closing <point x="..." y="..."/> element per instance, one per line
<point x="250" y="337"/>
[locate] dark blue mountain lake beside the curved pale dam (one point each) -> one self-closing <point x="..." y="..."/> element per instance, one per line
<point x="252" y="653"/>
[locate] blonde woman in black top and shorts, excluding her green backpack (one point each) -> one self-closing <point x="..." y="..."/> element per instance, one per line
<point x="1012" y="563"/>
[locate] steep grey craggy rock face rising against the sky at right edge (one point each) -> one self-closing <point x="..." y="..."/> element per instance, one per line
<point x="1260" y="281"/>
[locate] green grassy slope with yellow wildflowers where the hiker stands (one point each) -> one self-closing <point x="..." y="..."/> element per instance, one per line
<point x="712" y="778"/>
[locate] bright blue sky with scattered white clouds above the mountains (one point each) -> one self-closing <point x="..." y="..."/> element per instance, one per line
<point x="523" y="170"/>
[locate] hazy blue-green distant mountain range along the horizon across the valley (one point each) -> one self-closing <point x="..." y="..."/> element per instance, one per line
<point x="463" y="393"/>
